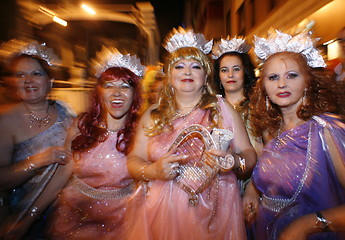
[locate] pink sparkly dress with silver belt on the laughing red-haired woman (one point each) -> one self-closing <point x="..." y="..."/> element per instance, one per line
<point x="94" y="202"/>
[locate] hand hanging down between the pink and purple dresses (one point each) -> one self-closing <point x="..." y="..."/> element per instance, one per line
<point x="250" y="203"/>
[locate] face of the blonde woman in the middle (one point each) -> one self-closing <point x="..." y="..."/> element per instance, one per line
<point x="188" y="76"/>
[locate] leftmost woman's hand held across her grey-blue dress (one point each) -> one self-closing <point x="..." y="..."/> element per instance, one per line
<point x="56" y="154"/>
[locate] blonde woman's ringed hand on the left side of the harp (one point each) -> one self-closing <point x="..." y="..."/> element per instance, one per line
<point x="166" y="168"/>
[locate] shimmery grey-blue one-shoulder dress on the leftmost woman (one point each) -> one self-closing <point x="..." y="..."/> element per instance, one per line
<point x="22" y="197"/>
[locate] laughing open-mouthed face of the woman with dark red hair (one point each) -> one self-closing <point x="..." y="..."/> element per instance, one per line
<point x="117" y="97"/>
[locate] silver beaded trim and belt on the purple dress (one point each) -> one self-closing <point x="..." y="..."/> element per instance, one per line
<point x="277" y="204"/>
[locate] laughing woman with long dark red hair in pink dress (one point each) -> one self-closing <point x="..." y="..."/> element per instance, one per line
<point x="93" y="203"/>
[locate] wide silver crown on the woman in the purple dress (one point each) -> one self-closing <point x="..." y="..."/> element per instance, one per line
<point x="282" y="42"/>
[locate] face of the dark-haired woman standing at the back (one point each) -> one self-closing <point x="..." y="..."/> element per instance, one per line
<point x="231" y="73"/>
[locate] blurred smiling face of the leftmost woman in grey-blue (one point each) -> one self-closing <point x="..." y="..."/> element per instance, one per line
<point x="33" y="83"/>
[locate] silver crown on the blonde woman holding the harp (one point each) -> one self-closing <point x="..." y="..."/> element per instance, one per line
<point x="179" y="38"/>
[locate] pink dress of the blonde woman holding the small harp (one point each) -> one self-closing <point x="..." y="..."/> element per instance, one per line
<point x="160" y="210"/>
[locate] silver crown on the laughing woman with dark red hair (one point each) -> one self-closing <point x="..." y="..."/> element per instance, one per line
<point x="111" y="57"/>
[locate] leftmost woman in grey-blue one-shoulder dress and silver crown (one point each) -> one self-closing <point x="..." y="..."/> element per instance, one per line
<point x="33" y="132"/>
